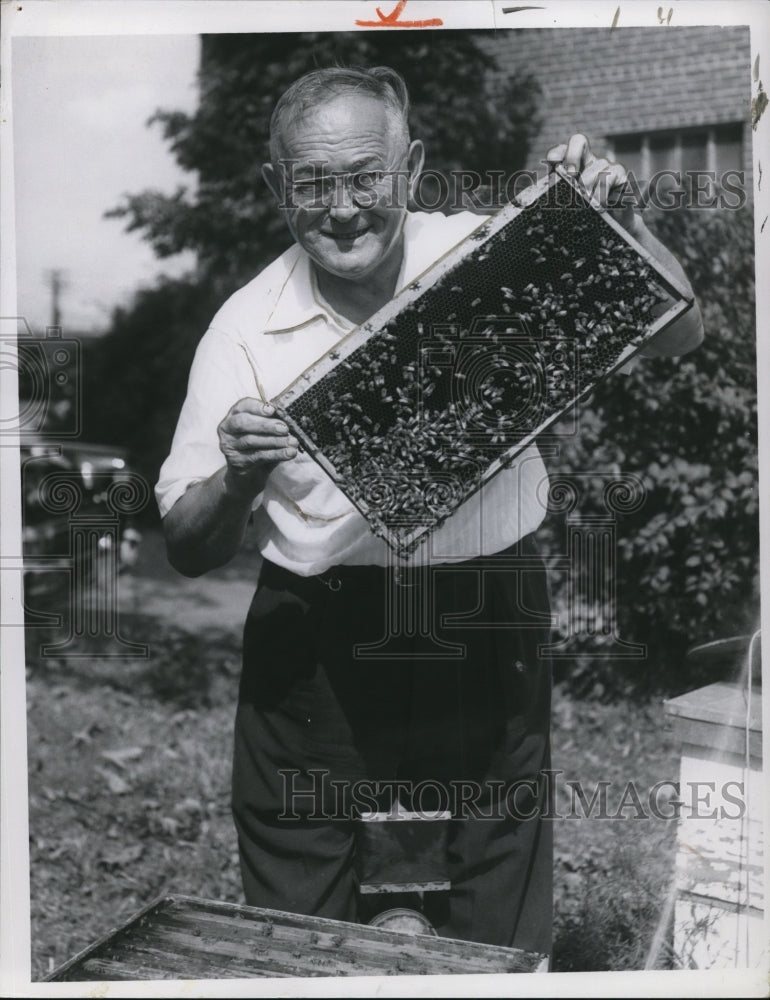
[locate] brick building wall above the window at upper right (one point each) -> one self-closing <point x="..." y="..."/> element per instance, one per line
<point x="632" y="80"/>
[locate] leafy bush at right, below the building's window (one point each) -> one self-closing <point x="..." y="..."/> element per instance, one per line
<point x="687" y="559"/>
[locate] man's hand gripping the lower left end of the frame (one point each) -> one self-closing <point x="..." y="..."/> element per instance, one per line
<point x="253" y="440"/>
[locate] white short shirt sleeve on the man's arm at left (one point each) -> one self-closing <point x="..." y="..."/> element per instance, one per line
<point x="219" y="377"/>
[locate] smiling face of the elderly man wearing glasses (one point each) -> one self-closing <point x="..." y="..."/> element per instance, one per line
<point x="351" y="233"/>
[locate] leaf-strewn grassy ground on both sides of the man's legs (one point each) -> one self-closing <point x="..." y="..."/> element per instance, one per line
<point x="129" y="761"/>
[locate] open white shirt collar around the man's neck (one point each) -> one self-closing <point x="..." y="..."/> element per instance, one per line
<point x="300" y="302"/>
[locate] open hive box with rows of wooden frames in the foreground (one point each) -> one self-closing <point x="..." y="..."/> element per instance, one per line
<point x="181" y="937"/>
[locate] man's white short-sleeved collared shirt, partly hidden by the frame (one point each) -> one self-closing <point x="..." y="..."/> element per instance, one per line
<point x="261" y="340"/>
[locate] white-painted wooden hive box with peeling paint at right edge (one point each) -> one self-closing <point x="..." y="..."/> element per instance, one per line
<point x="719" y="912"/>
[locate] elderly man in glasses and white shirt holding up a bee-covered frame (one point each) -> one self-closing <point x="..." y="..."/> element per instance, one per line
<point x="316" y="720"/>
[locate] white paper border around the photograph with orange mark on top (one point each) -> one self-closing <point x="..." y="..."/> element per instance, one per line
<point x="137" y="17"/>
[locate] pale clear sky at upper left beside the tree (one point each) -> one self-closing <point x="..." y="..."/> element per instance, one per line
<point x="81" y="141"/>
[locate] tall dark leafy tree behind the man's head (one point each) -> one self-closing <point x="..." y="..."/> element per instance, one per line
<point x="469" y="115"/>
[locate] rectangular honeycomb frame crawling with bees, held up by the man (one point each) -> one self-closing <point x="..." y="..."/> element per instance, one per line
<point x="416" y="409"/>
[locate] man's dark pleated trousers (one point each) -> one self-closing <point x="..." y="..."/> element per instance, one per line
<point x="319" y="719"/>
